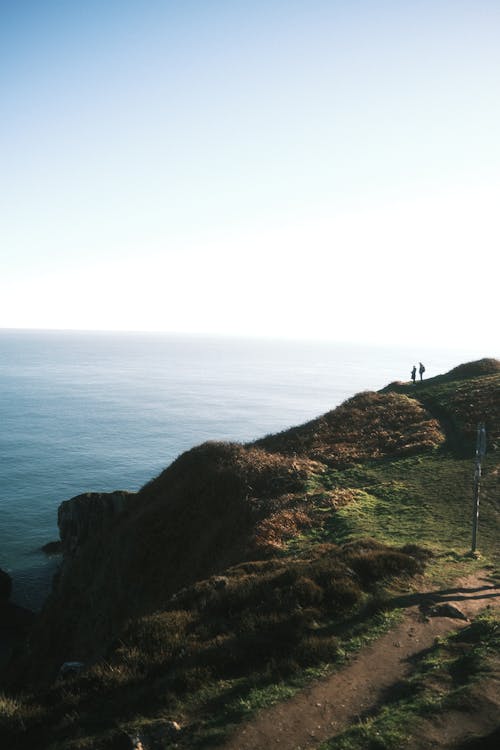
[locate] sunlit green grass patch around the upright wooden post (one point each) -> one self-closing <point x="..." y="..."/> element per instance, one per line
<point x="425" y="499"/>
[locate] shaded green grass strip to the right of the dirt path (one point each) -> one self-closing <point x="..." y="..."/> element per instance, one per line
<point x="441" y="679"/>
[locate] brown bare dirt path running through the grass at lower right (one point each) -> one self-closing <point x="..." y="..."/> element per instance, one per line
<point x="327" y="707"/>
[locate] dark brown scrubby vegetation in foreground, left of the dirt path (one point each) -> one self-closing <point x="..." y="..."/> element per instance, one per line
<point x="225" y="646"/>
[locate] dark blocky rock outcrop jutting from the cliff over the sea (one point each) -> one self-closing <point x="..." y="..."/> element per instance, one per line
<point x="87" y="515"/>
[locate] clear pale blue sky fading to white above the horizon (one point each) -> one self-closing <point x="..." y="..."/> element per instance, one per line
<point x="269" y="167"/>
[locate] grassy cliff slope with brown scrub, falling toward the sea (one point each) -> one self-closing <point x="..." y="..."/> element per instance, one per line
<point x="243" y="571"/>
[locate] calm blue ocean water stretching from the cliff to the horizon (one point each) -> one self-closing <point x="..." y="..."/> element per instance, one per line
<point x="102" y="411"/>
